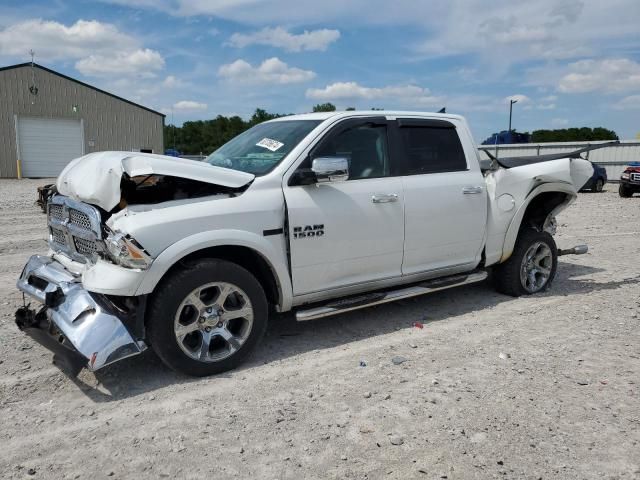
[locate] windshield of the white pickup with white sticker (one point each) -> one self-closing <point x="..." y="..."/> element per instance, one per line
<point x="261" y="148"/>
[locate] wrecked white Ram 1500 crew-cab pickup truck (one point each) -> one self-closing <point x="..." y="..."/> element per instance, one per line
<point x="318" y="213"/>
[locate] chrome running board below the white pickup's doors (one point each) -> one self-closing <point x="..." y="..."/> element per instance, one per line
<point x="377" y="298"/>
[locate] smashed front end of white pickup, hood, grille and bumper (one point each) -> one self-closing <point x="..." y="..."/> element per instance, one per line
<point x="91" y="315"/>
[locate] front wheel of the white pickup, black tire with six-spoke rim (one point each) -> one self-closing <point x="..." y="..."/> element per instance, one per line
<point x="206" y="318"/>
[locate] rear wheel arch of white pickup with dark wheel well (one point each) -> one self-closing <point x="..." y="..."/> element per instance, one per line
<point x="544" y="201"/>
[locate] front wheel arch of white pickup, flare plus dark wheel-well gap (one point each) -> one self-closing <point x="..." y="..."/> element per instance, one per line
<point x="253" y="254"/>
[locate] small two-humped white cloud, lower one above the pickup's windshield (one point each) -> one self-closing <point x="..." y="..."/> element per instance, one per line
<point x="273" y="70"/>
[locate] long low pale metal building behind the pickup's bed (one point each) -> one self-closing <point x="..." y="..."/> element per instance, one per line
<point x="613" y="158"/>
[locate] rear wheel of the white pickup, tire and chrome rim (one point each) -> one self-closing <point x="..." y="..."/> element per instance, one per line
<point x="530" y="245"/>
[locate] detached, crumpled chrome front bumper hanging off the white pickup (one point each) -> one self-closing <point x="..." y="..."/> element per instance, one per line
<point x="72" y="320"/>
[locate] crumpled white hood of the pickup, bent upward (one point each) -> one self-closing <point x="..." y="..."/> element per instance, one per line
<point x="95" y="178"/>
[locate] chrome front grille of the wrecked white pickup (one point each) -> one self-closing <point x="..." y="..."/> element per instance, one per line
<point x="75" y="228"/>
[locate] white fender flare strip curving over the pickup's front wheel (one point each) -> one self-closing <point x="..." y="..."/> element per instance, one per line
<point x="275" y="258"/>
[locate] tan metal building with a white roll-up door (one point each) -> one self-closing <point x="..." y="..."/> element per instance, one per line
<point x="47" y="119"/>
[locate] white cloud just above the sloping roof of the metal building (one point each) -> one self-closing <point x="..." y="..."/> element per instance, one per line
<point x="140" y="63"/>
